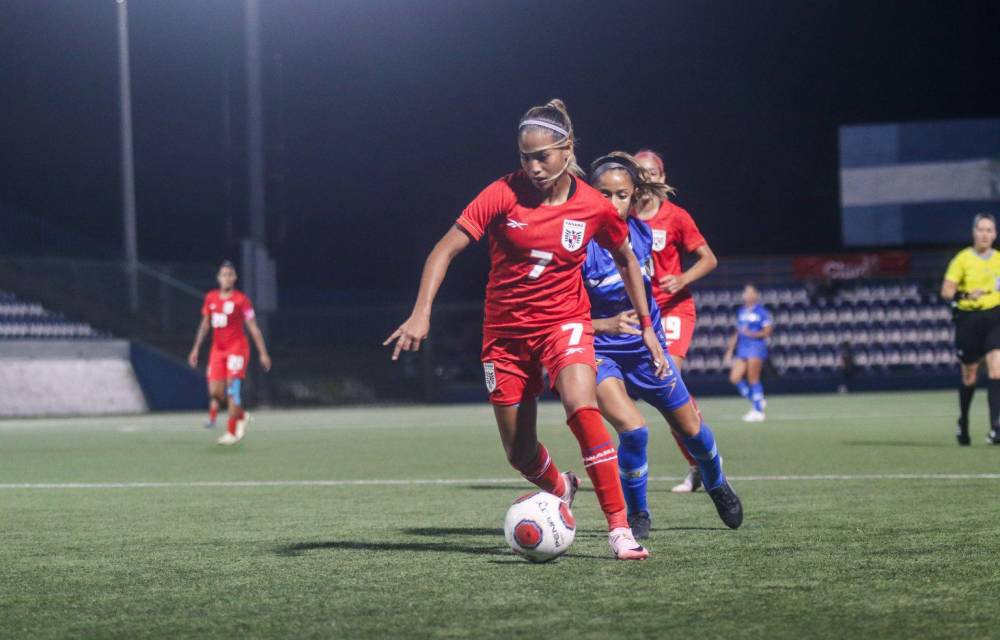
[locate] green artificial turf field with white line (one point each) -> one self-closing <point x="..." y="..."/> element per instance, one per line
<point x="332" y="524"/>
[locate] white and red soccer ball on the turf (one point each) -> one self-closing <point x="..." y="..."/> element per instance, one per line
<point x="539" y="527"/>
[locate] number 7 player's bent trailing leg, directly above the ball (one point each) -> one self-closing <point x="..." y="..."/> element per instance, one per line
<point x="518" y="433"/>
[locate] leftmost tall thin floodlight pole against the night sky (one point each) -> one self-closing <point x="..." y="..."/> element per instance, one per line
<point x="127" y="165"/>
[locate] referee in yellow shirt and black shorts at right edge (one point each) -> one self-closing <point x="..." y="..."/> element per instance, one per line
<point x="972" y="282"/>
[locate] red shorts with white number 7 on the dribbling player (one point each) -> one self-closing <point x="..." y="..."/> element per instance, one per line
<point x="513" y="366"/>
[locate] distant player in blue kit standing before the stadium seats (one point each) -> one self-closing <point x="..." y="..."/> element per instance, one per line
<point x="747" y="350"/>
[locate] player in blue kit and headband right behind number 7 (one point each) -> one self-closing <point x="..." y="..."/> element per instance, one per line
<point x="624" y="368"/>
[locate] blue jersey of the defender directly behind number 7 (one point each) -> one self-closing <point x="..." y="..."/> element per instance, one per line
<point x="607" y="292"/>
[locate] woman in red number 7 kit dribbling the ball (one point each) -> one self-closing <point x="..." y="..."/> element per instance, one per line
<point x="539" y="221"/>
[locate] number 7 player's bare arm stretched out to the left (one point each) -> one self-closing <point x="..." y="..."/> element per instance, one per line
<point x="411" y="333"/>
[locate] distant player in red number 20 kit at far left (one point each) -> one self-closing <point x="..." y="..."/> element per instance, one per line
<point x="225" y="310"/>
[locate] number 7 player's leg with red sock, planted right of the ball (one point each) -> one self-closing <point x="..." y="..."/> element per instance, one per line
<point x="577" y="387"/>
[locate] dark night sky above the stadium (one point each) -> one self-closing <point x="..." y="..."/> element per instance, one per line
<point x="385" y="118"/>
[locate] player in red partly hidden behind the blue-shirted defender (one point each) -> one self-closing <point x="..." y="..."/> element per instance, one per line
<point x="675" y="234"/>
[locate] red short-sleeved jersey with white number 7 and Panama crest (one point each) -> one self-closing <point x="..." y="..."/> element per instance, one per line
<point x="536" y="251"/>
